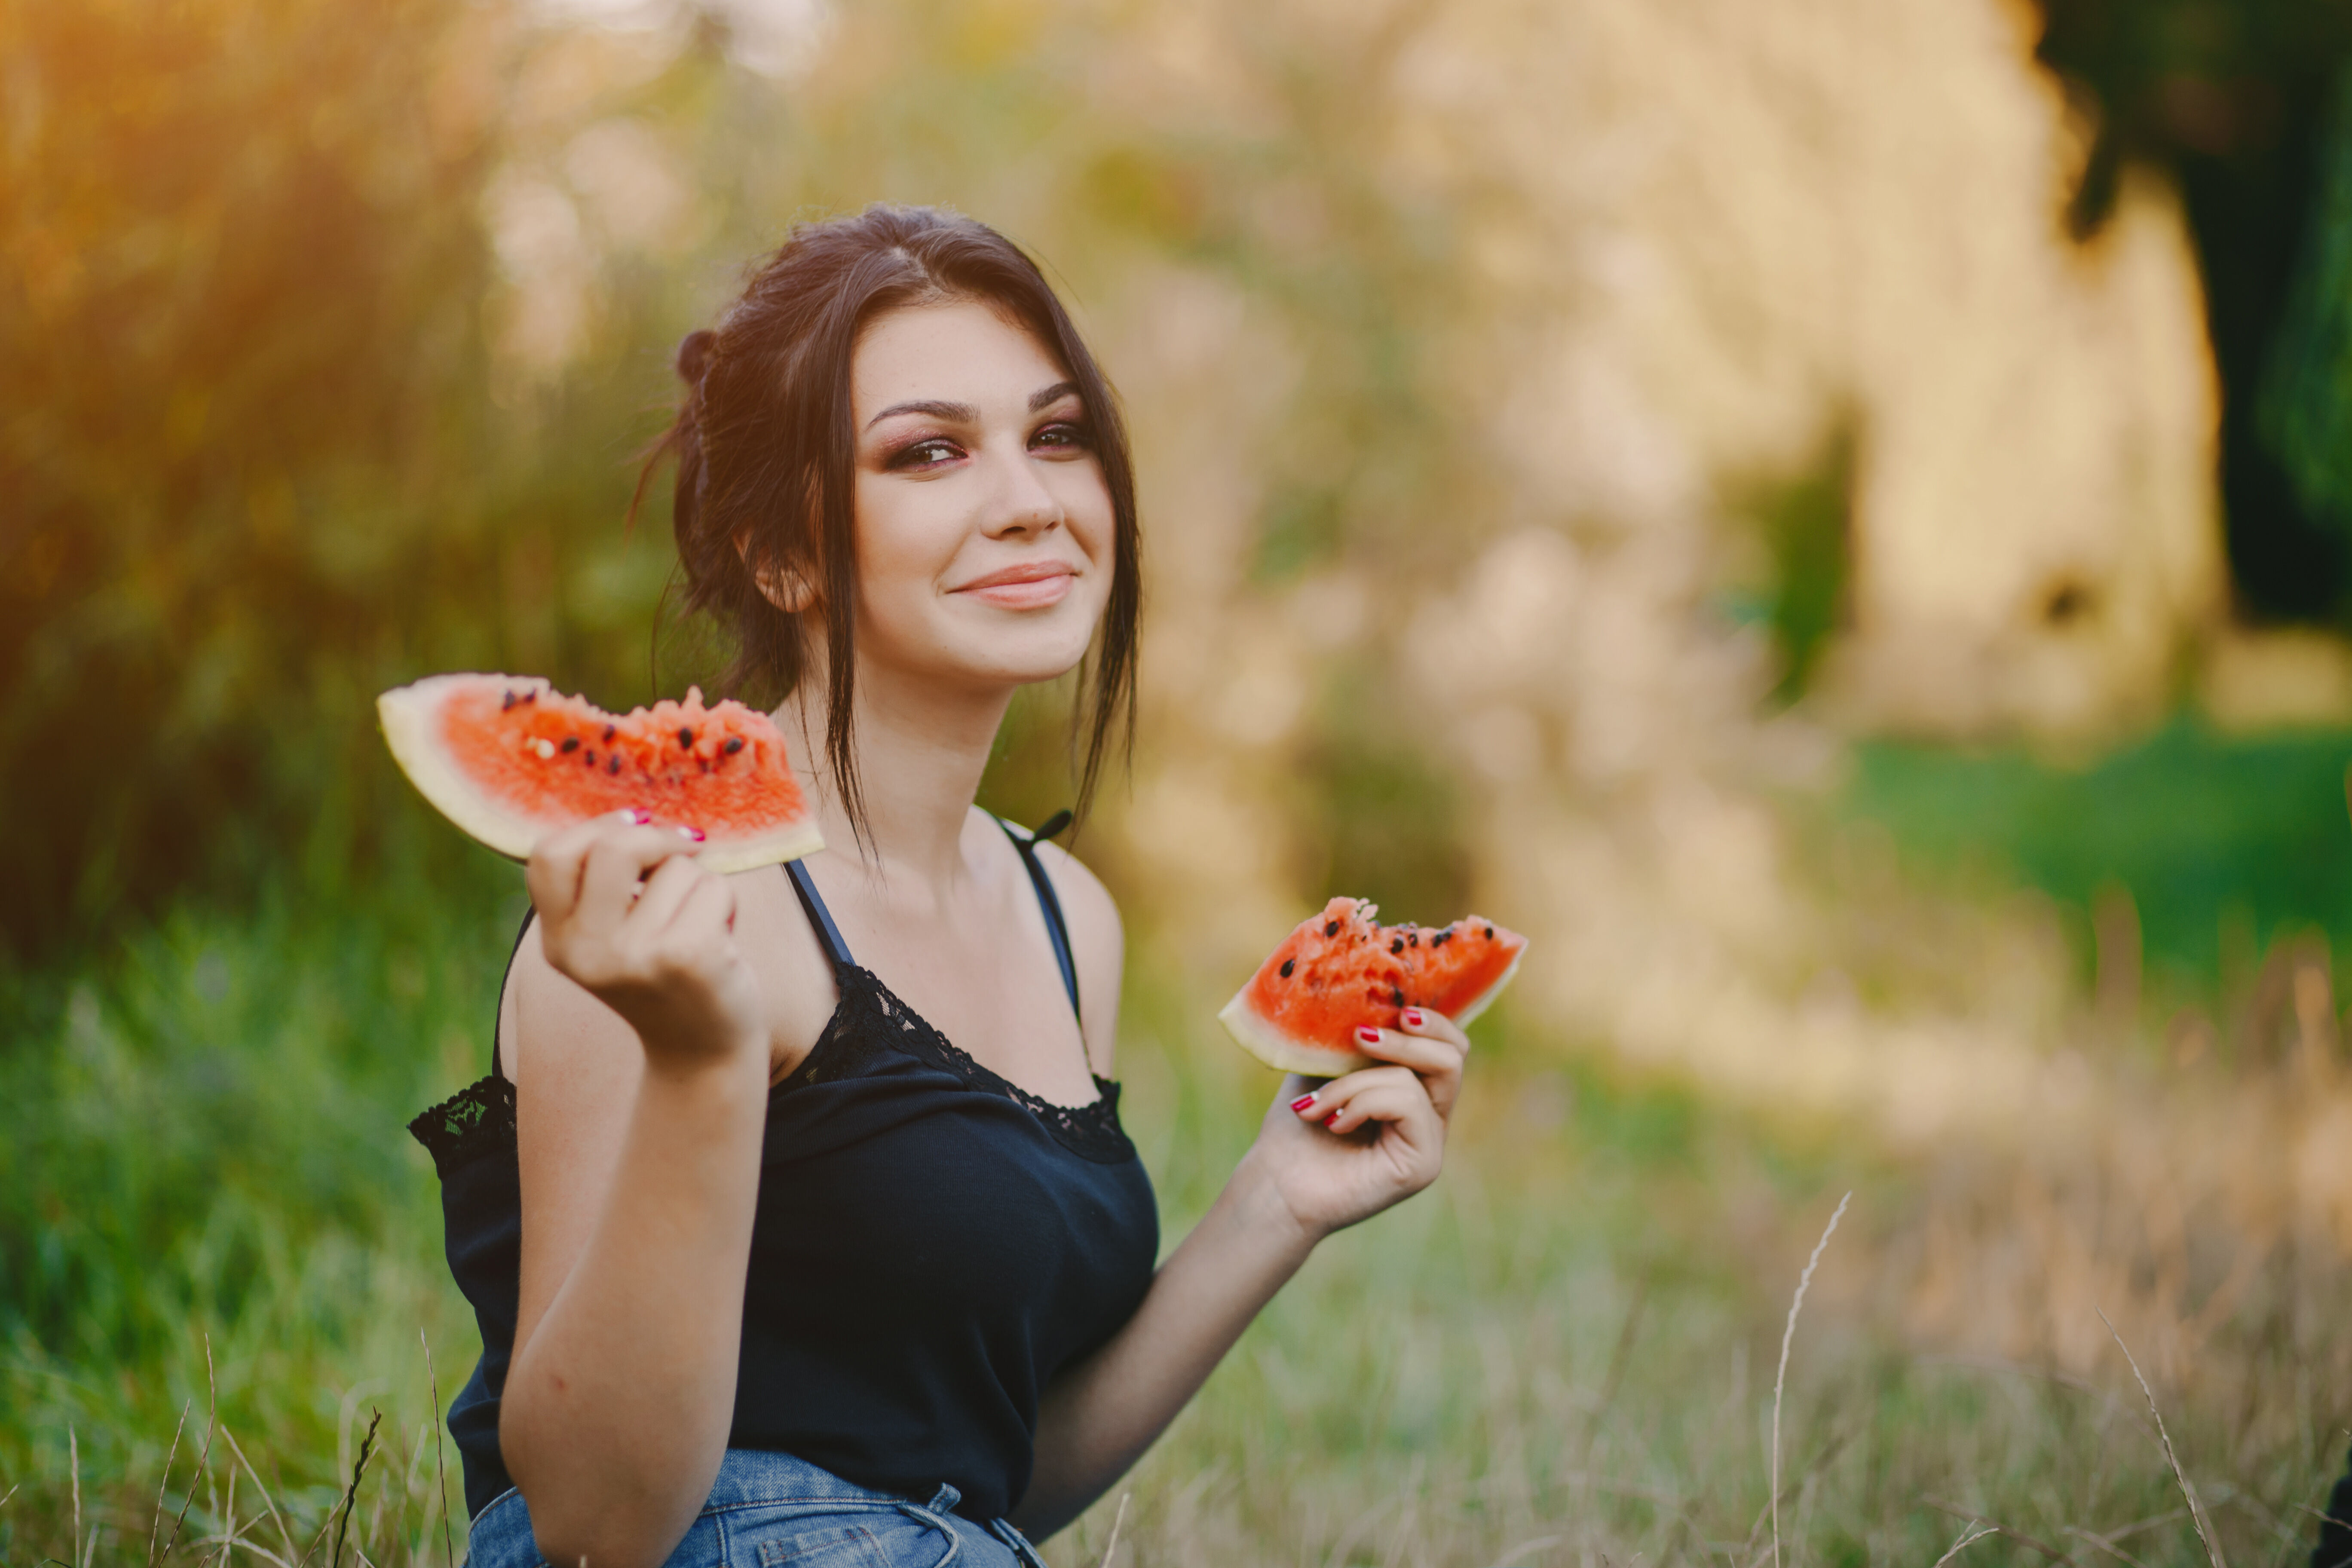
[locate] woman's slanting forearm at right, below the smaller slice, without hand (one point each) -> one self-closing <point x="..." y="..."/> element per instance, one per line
<point x="1100" y="1416"/>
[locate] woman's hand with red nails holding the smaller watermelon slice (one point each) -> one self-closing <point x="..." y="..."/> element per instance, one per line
<point x="1344" y="1151"/>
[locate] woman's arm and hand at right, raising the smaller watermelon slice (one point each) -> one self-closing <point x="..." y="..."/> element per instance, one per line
<point x="1328" y="1155"/>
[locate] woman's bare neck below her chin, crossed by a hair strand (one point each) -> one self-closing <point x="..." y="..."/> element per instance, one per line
<point x="921" y="751"/>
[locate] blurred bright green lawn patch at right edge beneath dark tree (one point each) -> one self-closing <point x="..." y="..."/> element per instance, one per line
<point x="2207" y="833"/>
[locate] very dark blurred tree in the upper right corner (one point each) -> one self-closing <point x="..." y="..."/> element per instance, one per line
<point x="2236" y="102"/>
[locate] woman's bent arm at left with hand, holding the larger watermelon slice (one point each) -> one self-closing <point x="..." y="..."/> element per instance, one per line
<point x="641" y="1059"/>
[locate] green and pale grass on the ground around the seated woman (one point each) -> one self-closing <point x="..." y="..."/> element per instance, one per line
<point x="1561" y="1355"/>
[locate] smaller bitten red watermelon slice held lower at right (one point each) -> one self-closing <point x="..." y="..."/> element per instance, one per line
<point x="1344" y="970"/>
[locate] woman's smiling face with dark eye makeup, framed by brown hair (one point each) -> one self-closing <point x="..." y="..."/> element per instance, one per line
<point x="982" y="516"/>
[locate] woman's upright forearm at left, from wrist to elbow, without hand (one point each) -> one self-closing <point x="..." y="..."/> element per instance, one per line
<point x="617" y="1407"/>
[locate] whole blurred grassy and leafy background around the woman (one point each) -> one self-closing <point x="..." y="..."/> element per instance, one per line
<point x="1664" y="476"/>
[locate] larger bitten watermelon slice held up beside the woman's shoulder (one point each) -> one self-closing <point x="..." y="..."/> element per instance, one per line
<point x="509" y="760"/>
